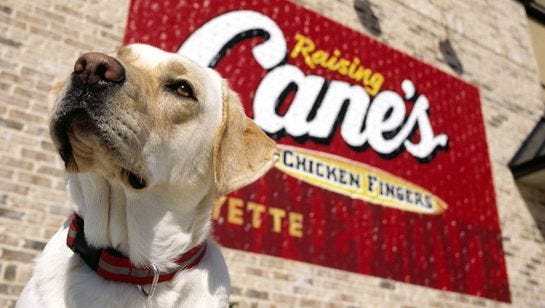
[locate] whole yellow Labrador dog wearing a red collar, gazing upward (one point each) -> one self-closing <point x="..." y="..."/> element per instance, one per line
<point x="150" y="140"/>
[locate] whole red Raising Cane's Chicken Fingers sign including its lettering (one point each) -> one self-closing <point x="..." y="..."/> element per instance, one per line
<point x="384" y="168"/>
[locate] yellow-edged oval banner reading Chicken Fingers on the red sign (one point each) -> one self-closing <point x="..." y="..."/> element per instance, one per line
<point x="357" y="180"/>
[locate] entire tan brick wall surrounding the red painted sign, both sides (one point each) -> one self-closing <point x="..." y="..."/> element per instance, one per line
<point x="39" y="42"/>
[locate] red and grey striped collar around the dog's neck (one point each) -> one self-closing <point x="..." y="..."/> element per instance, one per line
<point x="110" y="264"/>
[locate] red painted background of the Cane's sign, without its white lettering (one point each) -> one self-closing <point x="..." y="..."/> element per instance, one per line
<point x="458" y="248"/>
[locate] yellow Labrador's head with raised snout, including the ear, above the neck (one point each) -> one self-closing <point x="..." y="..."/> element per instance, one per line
<point x="146" y="118"/>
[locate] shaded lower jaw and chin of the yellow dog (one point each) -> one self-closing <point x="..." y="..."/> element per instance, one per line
<point x="84" y="147"/>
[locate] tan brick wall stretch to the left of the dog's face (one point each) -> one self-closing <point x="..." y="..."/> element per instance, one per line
<point x="39" y="42"/>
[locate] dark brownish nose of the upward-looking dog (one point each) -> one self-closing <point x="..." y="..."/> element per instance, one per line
<point x="92" y="67"/>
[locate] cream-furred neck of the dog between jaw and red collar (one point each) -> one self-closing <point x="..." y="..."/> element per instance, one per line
<point x="150" y="228"/>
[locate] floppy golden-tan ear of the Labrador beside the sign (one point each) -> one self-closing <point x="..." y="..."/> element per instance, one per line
<point x="242" y="151"/>
